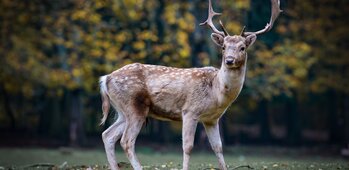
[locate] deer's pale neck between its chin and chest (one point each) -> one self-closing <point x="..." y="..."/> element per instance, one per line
<point x="228" y="83"/>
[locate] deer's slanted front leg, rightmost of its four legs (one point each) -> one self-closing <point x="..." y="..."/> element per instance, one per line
<point x="212" y="131"/>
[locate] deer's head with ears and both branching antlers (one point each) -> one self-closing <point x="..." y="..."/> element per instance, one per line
<point x="234" y="47"/>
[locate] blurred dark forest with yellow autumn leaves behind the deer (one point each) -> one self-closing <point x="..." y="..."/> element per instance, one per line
<point x="52" y="53"/>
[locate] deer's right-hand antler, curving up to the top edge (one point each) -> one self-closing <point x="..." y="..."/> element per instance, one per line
<point x="275" y="12"/>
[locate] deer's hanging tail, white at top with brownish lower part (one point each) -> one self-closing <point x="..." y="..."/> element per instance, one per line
<point x="105" y="98"/>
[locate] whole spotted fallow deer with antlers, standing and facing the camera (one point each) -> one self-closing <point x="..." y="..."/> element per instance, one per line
<point x="190" y="95"/>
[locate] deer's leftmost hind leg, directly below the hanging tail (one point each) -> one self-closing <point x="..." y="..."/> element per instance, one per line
<point x="110" y="136"/>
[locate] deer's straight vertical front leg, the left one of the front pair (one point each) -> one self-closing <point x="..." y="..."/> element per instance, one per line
<point x="188" y="133"/>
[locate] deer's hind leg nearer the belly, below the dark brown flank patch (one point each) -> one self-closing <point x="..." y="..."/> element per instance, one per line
<point x="134" y="123"/>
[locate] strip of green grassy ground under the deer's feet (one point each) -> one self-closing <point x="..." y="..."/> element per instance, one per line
<point x="256" y="157"/>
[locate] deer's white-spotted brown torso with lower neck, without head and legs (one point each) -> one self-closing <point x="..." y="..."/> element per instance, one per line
<point x="168" y="92"/>
